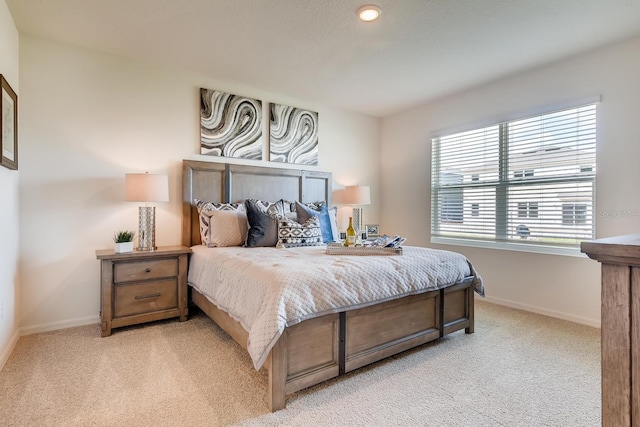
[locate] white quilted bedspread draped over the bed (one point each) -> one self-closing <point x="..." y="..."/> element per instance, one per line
<point x="267" y="289"/>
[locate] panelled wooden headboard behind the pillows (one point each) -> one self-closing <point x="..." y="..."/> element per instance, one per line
<point x="225" y="183"/>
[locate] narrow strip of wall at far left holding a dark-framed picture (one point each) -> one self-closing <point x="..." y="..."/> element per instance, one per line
<point x="9" y="199"/>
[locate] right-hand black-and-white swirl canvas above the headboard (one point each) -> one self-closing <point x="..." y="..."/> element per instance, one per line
<point x="293" y="135"/>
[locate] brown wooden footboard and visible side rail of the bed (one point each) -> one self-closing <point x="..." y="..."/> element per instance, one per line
<point x="318" y="349"/>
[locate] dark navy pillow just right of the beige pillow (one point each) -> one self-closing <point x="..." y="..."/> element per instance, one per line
<point x="263" y="228"/>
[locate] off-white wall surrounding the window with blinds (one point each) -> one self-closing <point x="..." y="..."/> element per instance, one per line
<point x="562" y="286"/>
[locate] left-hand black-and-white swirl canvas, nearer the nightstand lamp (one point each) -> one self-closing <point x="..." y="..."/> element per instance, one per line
<point x="230" y="125"/>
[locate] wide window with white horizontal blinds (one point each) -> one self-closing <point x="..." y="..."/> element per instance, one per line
<point x="534" y="178"/>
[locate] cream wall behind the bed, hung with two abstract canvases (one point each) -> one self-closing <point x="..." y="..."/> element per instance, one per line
<point x="87" y="119"/>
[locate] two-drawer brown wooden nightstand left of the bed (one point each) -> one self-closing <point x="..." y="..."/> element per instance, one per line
<point x="142" y="286"/>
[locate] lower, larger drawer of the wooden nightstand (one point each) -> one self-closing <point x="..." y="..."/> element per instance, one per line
<point x="138" y="298"/>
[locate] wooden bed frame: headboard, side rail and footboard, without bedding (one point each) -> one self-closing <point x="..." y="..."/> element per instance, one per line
<point x="321" y="348"/>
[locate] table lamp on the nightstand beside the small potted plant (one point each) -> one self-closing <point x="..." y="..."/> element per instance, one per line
<point x="146" y="187"/>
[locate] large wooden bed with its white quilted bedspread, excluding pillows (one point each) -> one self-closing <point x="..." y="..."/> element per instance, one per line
<point x="305" y="346"/>
